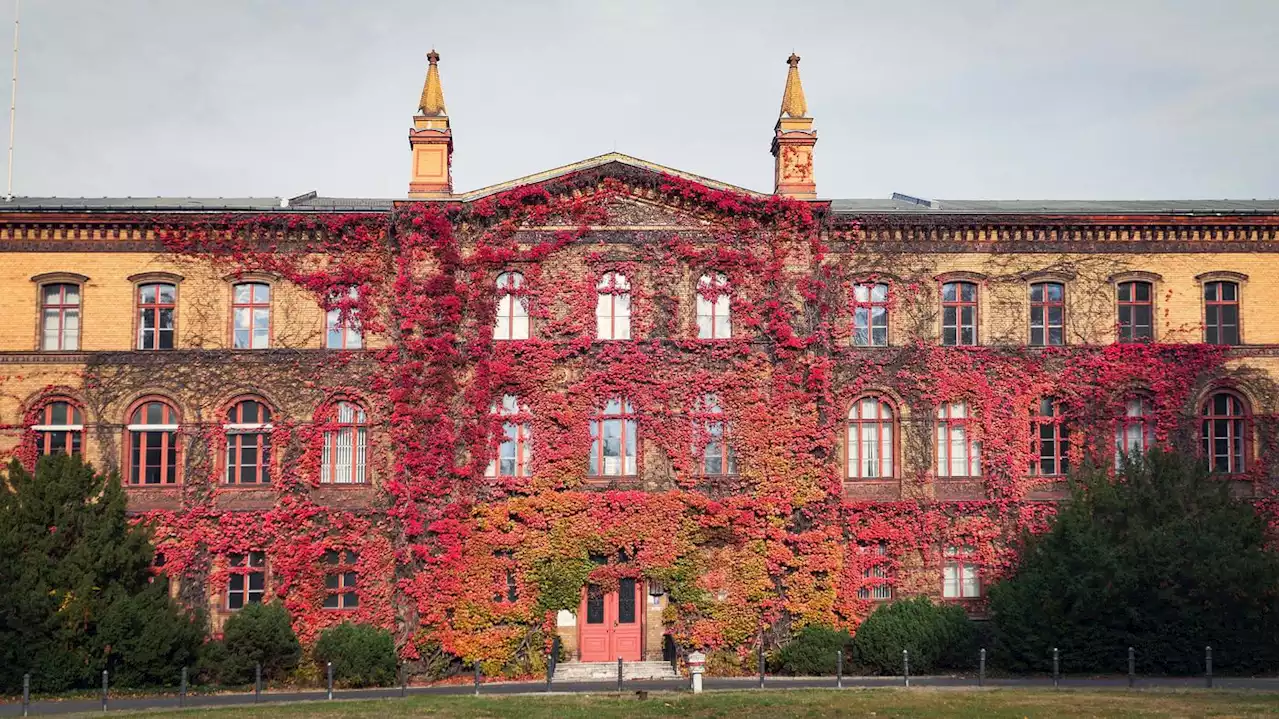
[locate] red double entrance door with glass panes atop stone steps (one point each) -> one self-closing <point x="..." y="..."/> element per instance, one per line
<point x="610" y="624"/>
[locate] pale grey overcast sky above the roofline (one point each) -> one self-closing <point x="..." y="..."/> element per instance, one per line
<point x="947" y="99"/>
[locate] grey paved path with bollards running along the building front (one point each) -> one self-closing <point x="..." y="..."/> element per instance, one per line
<point x="71" y="707"/>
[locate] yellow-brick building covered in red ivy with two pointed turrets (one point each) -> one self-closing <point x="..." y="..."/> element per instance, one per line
<point x="619" y="404"/>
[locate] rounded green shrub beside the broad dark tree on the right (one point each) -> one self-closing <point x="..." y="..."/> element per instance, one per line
<point x="936" y="638"/>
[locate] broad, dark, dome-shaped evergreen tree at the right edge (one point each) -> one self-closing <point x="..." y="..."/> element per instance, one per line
<point x="1160" y="558"/>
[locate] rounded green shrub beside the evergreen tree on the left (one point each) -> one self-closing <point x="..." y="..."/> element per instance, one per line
<point x="258" y="634"/>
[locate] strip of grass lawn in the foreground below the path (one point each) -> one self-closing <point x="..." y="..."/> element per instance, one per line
<point x="794" y="703"/>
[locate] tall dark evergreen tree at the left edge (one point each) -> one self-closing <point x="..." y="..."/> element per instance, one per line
<point x="71" y="561"/>
